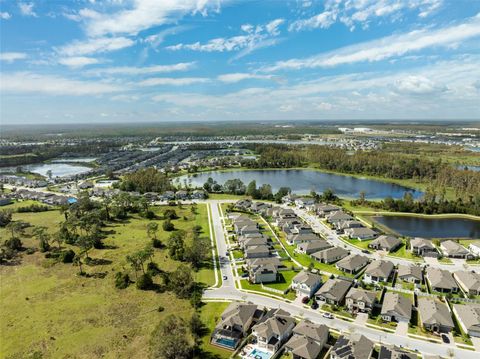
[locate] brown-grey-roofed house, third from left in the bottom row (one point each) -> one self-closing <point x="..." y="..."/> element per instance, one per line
<point x="307" y="341"/>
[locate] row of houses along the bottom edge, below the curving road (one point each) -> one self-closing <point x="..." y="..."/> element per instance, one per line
<point x="273" y="329"/>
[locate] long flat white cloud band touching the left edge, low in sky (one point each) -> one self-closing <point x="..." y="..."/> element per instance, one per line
<point x="26" y="82"/>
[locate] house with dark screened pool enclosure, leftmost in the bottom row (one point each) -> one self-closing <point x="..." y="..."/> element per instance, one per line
<point x="234" y="324"/>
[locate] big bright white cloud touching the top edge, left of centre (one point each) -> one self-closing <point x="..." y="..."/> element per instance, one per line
<point x="144" y="14"/>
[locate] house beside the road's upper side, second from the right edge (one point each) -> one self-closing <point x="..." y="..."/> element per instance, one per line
<point x="434" y="315"/>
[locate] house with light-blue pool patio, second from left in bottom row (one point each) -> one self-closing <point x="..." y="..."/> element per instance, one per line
<point x="274" y="329"/>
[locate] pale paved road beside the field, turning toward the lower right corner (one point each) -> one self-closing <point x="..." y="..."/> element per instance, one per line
<point x="228" y="291"/>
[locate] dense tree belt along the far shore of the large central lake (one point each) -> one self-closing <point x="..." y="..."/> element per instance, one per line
<point x="440" y="175"/>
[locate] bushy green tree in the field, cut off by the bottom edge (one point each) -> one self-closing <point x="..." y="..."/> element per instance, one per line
<point x="170" y="339"/>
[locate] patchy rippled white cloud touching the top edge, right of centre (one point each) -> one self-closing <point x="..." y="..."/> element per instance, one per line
<point x="363" y="12"/>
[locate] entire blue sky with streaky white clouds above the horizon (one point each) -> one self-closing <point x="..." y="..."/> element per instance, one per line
<point x="180" y="60"/>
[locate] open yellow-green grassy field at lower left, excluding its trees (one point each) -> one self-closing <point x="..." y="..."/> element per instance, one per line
<point x="51" y="311"/>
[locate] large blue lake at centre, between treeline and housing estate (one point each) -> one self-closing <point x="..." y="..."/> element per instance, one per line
<point x="302" y="181"/>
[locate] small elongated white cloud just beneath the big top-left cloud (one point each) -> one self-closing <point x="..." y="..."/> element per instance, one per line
<point x="97" y="45"/>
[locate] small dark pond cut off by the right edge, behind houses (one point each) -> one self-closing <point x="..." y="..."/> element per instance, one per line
<point x="431" y="227"/>
